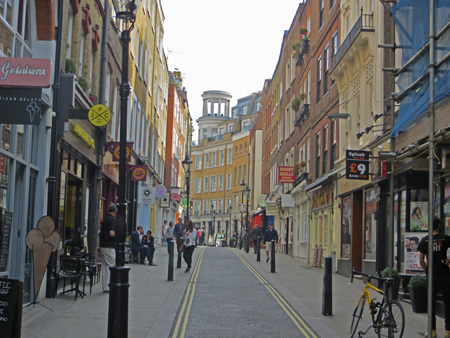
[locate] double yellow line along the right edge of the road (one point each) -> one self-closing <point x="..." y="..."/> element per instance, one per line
<point x="298" y="321"/>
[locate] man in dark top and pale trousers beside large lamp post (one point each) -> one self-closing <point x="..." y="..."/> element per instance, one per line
<point x="107" y="244"/>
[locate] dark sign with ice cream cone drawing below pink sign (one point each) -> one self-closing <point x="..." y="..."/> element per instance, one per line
<point x="20" y="106"/>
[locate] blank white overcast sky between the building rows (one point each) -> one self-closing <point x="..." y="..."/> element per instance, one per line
<point x="230" y="45"/>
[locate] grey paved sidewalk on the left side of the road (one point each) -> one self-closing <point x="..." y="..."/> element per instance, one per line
<point x="153" y="304"/>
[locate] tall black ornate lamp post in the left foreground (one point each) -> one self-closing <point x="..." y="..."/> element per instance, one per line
<point x="119" y="283"/>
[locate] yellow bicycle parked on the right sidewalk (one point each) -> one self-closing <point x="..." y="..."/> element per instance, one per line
<point x="388" y="317"/>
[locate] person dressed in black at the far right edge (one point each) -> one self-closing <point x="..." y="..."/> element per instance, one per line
<point x="441" y="272"/>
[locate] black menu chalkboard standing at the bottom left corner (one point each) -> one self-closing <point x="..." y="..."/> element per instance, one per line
<point x="11" y="292"/>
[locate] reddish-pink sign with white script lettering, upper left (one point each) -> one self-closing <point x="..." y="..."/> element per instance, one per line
<point x="25" y="72"/>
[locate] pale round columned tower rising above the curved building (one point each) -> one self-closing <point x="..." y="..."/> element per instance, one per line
<point x="216" y="109"/>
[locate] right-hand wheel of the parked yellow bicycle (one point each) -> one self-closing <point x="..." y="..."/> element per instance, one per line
<point x="392" y="320"/>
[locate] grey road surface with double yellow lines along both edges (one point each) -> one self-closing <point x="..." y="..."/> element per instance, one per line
<point x="227" y="297"/>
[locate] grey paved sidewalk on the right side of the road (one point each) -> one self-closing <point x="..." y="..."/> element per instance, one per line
<point x="302" y="286"/>
